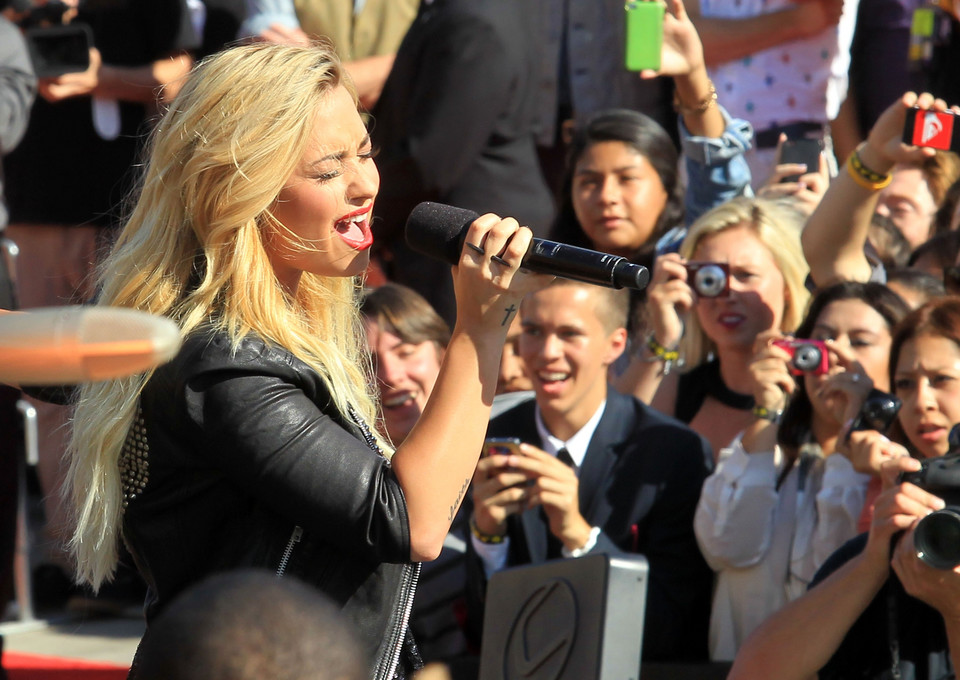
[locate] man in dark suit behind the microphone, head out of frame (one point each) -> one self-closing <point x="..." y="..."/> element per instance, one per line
<point x="454" y="124"/>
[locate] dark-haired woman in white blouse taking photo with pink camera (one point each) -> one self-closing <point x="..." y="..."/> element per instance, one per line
<point x="778" y="503"/>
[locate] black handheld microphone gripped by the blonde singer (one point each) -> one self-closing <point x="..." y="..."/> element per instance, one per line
<point x="438" y="231"/>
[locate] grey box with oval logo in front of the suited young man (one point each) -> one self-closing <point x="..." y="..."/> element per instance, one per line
<point x="576" y="619"/>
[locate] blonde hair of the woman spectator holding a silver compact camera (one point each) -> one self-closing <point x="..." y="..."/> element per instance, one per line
<point x="778" y="227"/>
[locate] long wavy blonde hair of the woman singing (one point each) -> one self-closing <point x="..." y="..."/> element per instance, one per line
<point x="192" y="250"/>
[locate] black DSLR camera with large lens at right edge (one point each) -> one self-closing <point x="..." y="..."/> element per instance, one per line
<point x="937" y="536"/>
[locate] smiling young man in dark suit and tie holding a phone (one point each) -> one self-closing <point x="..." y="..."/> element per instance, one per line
<point x="598" y="471"/>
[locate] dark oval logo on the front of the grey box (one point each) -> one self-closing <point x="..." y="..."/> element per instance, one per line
<point x="542" y="634"/>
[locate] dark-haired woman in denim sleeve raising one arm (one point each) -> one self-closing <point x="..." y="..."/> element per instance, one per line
<point x="621" y="190"/>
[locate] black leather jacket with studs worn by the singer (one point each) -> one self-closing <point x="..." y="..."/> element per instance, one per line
<point x="240" y="459"/>
